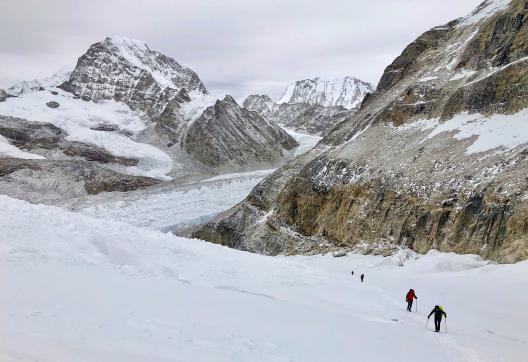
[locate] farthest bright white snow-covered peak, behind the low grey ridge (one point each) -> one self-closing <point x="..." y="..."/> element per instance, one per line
<point x="346" y="92"/>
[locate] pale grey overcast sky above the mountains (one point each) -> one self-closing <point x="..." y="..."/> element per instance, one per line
<point x="236" y="46"/>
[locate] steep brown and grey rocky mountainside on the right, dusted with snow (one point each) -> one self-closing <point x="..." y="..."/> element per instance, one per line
<point x="435" y="158"/>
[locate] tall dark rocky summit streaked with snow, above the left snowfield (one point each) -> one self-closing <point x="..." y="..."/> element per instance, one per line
<point x="128" y="71"/>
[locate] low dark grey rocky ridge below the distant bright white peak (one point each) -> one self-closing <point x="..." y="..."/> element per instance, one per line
<point x="303" y="117"/>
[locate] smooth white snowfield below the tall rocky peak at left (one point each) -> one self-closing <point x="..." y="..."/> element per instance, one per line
<point x="77" y="117"/>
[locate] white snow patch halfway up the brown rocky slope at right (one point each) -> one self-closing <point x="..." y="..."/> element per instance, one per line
<point x="500" y="132"/>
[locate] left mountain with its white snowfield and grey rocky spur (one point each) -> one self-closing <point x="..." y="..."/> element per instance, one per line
<point x="134" y="111"/>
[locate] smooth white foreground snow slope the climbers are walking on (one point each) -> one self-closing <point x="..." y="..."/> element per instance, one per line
<point x="81" y="289"/>
